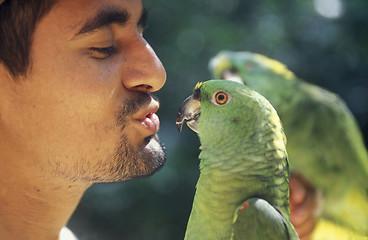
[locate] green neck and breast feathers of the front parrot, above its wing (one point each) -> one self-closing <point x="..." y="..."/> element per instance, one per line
<point x="221" y="189"/>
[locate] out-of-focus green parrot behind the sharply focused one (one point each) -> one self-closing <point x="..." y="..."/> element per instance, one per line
<point x="325" y="143"/>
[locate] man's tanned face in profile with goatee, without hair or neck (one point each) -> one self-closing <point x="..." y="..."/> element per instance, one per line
<point x="84" y="112"/>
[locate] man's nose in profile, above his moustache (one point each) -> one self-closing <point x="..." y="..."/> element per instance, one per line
<point x="142" y="69"/>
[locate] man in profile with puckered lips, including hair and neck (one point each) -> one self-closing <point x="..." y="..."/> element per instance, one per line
<point x="76" y="107"/>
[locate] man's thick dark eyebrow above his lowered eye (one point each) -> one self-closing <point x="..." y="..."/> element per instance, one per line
<point x="104" y="18"/>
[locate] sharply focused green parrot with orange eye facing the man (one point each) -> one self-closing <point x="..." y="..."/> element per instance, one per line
<point x="242" y="191"/>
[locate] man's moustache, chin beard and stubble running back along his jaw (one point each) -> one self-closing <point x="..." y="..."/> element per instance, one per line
<point x="126" y="162"/>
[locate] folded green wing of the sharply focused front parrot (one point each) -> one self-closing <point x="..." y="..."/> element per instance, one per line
<point x="257" y="219"/>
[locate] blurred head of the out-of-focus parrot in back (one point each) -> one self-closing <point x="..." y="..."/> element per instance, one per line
<point x="267" y="76"/>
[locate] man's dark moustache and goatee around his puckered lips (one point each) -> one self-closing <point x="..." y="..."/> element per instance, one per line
<point x="128" y="162"/>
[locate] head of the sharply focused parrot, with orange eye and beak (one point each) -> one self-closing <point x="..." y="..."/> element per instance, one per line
<point x="225" y="113"/>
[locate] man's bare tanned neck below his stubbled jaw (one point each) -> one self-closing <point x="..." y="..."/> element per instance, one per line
<point x="35" y="207"/>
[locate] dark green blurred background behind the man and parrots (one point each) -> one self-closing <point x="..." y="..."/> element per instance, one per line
<point x="322" y="41"/>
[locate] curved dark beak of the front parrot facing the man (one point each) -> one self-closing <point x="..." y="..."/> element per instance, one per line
<point x="189" y="112"/>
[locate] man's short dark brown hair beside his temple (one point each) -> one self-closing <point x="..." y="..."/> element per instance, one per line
<point x="18" y="19"/>
